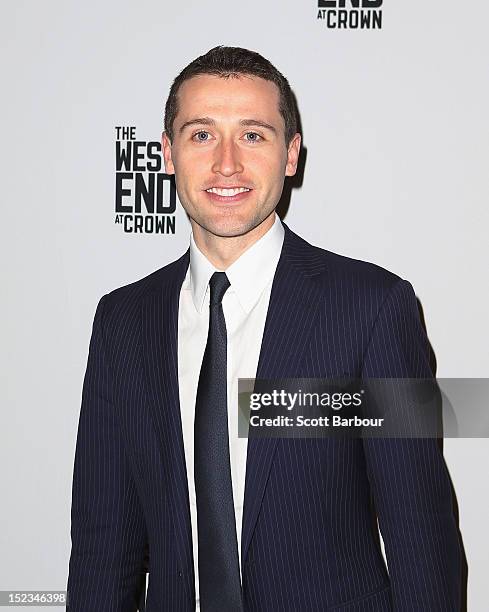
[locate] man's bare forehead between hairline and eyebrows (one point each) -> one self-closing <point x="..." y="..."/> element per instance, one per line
<point x="228" y="98"/>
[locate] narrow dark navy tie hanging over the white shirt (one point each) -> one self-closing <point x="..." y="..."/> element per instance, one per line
<point x="219" y="580"/>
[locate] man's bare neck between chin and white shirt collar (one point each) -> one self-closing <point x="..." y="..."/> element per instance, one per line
<point x="222" y="251"/>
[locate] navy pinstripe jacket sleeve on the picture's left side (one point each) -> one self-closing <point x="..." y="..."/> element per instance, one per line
<point x="107" y="524"/>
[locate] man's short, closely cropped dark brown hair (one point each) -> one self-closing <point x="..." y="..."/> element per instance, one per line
<point x="232" y="61"/>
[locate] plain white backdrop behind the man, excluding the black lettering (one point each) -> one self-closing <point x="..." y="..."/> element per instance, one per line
<point x="395" y="124"/>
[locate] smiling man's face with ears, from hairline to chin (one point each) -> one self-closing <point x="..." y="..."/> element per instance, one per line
<point x="228" y="152"/>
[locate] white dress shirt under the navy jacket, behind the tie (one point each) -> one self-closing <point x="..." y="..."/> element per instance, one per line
<point x="245" y="306"/>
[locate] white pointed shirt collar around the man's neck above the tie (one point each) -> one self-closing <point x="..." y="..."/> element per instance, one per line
<point x="248" y="275"/>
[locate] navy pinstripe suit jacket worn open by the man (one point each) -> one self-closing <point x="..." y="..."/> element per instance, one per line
<point x="308" y="539"/>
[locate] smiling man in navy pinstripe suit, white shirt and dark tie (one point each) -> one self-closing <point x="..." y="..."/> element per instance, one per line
<point x="272" y="525"/>
